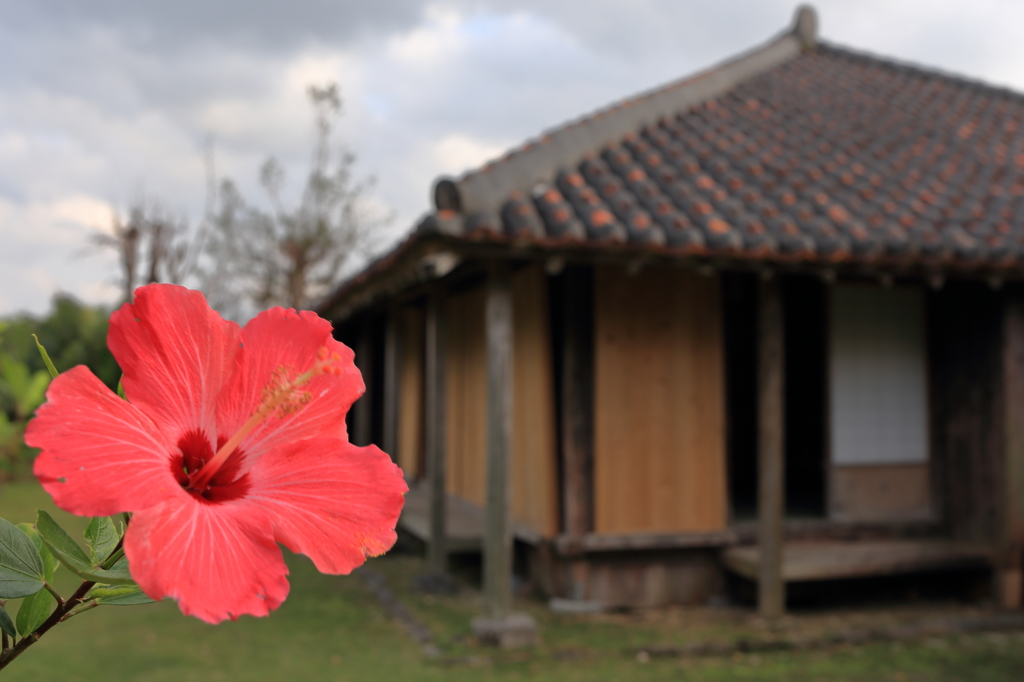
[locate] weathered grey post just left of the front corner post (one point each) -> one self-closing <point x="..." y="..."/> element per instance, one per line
<point x="435" y="432"/>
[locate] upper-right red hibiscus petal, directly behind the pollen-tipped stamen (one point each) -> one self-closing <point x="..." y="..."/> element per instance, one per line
<point x="285" y="340"/>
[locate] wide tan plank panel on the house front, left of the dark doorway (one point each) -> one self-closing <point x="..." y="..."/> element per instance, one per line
<point x="660" y="405"/>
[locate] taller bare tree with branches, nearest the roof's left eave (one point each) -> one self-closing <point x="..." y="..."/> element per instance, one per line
<point x="290" y="255"/>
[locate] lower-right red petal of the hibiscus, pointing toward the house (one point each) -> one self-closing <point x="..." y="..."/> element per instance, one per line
<point x="330" y="500"/>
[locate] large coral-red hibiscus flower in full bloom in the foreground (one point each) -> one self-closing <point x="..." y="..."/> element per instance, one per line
<point x="232" y="440"/>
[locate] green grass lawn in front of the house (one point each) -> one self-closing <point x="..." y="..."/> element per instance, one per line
<point x="332" y="628"/>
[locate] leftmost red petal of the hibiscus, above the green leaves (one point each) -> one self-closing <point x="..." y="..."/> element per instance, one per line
<point x="101" y="455"/>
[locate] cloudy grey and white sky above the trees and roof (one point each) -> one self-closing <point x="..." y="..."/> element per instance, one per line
<point x="105" y="102"/>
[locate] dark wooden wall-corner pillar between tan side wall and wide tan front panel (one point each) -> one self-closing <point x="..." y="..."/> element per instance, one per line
<point x="577" y="354"/>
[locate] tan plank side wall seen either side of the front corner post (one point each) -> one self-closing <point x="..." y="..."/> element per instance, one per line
<point x="535" y="501"/>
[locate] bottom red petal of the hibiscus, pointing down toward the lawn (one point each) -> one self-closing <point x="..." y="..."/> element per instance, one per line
<point x="218" y="561"/>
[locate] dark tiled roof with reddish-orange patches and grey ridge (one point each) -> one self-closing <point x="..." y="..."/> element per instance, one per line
<point x="797" y="152"/>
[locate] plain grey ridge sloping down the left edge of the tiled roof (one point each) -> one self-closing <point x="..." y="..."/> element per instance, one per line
<point x="487" y="189"/>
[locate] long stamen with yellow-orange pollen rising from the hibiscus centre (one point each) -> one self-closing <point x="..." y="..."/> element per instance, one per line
<point x="282" y="396"/>
